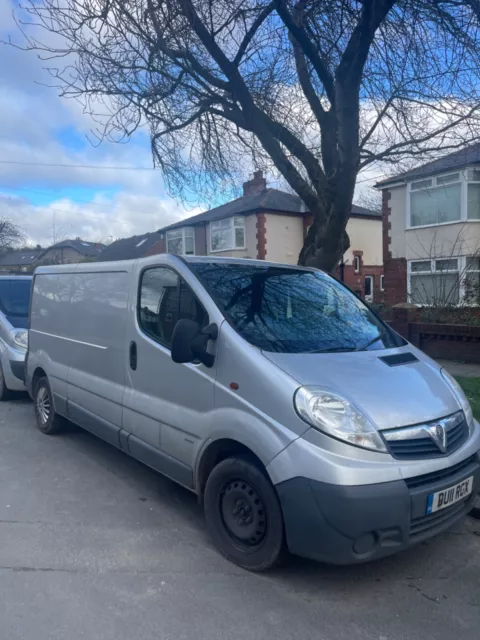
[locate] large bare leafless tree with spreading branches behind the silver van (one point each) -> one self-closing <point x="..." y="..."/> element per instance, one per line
<point x="315" y="89"/>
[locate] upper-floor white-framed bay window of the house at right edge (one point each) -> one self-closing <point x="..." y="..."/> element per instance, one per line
<point x="453" y="197"/>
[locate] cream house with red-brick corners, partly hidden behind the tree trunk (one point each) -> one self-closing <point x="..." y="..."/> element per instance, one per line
<point x="269" y="224"/>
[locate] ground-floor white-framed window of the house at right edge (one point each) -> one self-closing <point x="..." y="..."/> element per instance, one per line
<point x="434" y="282"/>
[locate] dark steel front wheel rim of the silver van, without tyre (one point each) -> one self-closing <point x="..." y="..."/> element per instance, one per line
<point x="243" y="513"/>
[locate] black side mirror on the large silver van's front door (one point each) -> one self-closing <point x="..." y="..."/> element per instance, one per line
<point x="189" y="342"/>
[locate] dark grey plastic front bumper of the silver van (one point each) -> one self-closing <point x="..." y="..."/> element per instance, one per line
<point x="342" y="524"/>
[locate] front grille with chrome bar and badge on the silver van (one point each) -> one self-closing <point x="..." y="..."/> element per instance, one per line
<point x="421" y="448"/>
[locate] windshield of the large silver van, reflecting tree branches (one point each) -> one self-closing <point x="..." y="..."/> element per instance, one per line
<point x="293" y="311"/>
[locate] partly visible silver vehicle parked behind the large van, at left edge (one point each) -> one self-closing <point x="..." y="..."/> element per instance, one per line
<point x="14" y="304"/>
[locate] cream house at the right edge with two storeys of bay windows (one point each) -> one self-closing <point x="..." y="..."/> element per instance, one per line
<point x="431" y="231"/>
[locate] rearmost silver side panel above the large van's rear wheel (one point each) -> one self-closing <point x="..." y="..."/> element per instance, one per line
<point x="49" y="347"/>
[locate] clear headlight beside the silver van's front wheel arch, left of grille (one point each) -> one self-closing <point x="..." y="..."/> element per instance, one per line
<point x="337" y="417"/>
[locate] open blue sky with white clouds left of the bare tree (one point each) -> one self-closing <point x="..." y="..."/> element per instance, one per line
<point x="94" y="201"/>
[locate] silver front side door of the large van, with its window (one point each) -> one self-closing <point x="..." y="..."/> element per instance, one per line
<point x="166" y="405"/>
